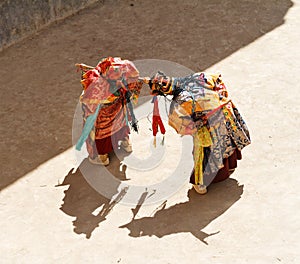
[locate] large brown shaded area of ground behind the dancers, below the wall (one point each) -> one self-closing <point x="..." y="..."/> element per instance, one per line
<point x="39" y="85"/>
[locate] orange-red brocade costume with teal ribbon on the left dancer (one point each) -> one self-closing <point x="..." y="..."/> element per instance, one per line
<point x="108" y="90"/>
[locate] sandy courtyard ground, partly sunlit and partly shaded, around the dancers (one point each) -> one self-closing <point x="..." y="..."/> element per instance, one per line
<point x="49" y="213"/>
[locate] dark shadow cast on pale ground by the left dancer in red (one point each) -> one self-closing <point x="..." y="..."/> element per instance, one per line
<point x="85" y="203"/>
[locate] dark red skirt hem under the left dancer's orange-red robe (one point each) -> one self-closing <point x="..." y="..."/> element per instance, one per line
<point x="108" y="144"/>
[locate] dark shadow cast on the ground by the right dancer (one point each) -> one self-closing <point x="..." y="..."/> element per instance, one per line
<point x="191" y="216"/>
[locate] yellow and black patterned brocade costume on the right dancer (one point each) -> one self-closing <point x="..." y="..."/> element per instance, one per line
<point x="200" y="107"/>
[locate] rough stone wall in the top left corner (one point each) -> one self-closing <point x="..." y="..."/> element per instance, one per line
<point x="20" y="18"/>
